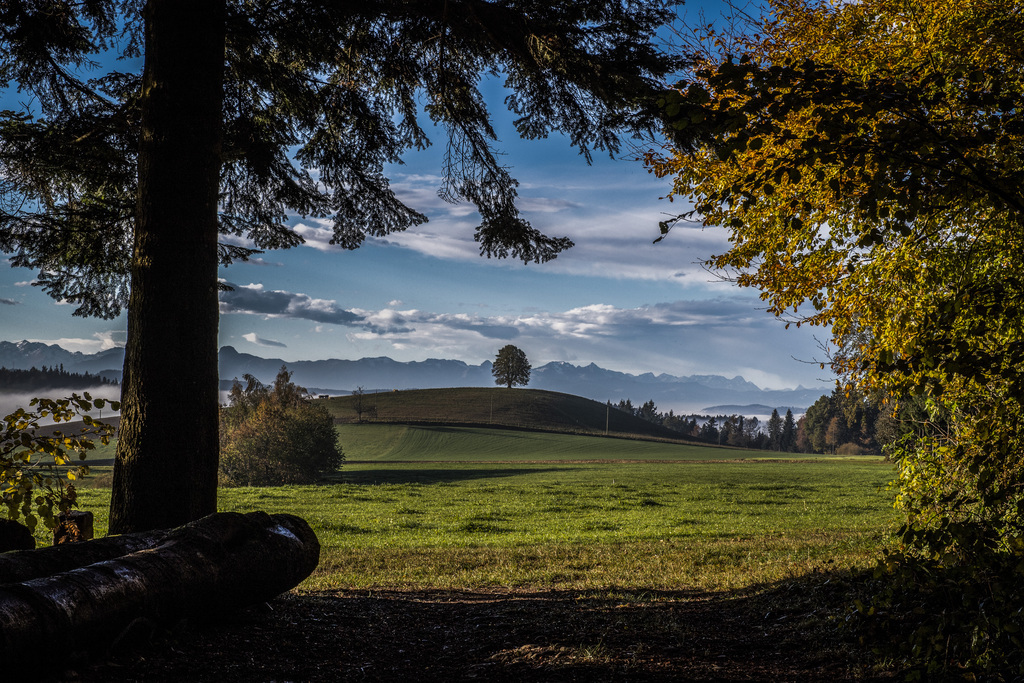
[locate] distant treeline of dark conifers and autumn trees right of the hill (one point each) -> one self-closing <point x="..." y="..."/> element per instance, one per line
<point x="841" y="423"/>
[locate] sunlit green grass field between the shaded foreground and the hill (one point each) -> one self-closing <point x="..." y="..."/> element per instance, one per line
<point x="518" y="508"/>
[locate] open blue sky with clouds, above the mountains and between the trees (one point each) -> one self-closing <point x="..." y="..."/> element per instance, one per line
<point x="615" y="300"/>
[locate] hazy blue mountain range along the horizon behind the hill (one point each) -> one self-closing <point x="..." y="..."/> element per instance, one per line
<point x="694" y="394"/>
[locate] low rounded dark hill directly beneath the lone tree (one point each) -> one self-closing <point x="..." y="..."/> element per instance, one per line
<point x="521" y="409"/>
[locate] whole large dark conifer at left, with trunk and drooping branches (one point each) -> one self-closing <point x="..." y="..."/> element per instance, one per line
<point x="119" y="188"/>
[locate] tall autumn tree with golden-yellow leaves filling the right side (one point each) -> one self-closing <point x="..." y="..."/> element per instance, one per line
<point x="867" y="159"/>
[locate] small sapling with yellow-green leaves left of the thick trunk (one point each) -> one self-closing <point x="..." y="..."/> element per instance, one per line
<point x="39" y="464"/>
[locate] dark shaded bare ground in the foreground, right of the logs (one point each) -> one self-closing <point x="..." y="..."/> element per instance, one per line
<point x="785" y="633"/>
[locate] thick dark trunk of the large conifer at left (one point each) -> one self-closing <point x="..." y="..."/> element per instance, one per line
<point x="165" y="473"/>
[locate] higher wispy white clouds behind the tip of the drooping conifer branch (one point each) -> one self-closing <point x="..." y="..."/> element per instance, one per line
<point x="613" y="223"/>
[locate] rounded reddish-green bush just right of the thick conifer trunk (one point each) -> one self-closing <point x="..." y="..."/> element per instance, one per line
<point x="273" y="437"/>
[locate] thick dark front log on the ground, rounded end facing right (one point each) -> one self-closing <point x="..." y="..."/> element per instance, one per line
<point x="211" y="567"/>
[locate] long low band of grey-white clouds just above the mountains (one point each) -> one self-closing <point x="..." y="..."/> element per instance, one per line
<point x="719" y="335"/>
